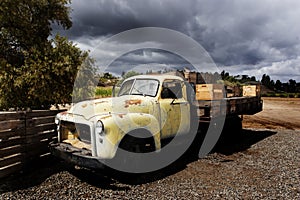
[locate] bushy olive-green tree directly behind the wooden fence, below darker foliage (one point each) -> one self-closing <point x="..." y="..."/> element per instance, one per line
<point x="46" y="77"/>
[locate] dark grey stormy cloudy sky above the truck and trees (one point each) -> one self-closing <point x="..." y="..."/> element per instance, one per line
<point x="242" y="36"/>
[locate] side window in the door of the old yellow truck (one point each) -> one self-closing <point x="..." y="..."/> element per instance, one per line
<point x="171" y="89"/>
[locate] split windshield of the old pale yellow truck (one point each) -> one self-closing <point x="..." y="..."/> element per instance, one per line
<point x="146" y="87"/>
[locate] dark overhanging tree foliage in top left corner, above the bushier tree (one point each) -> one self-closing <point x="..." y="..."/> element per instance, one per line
<point x="27" y="24"/>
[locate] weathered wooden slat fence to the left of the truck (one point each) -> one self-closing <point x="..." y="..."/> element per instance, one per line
<point x="24" y="137"/>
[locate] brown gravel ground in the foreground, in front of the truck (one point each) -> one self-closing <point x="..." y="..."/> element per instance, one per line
<point x="262" y="165"/>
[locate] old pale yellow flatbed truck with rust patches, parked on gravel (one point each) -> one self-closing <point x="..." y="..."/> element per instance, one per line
<point x="147" y="113"/>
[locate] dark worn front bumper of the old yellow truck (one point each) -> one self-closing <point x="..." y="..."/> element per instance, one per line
<point x="80" y="157"/>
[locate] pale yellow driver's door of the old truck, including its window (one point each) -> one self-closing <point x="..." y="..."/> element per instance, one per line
<point x="175" y="115"/>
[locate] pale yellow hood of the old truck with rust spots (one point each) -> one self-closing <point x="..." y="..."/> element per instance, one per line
<point x="124" y="104"/>
